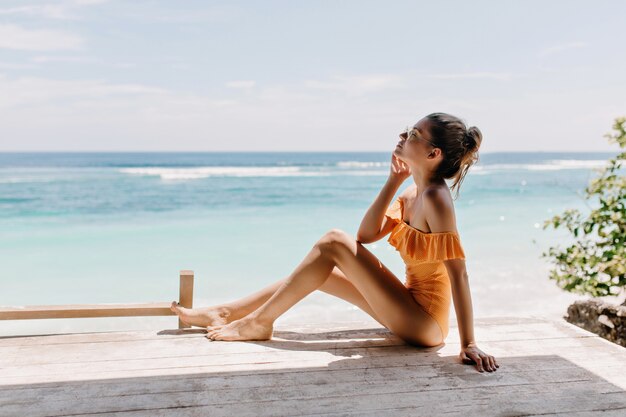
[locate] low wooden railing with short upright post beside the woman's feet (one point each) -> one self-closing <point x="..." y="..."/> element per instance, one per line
<point x="185" y="298"/>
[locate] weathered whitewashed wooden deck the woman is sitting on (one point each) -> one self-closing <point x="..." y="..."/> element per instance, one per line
<point x="351" y="369"/>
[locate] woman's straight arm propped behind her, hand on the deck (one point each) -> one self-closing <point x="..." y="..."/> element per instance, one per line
<point x="440" y="217"/>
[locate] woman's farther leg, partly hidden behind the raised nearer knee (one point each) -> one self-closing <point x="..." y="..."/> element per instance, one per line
<point x="336" y="284"/>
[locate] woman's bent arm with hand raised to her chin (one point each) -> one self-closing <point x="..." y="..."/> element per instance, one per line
<point x="374" y="224"/>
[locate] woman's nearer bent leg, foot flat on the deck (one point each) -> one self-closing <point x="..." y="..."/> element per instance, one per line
<point x="384" y="293"/>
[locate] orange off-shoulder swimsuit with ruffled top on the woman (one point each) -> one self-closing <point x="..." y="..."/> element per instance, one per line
<point x="423" y="253"/>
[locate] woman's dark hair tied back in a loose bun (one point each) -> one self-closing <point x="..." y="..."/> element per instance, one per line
<point x="459" y="145"/>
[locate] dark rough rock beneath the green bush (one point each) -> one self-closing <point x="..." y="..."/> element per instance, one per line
<point x="604" y="319"/>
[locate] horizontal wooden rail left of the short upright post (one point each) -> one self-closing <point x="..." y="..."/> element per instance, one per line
<point x="85" y="310"/>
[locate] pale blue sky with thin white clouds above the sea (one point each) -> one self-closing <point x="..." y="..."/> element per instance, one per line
<point x="90" y="75"/>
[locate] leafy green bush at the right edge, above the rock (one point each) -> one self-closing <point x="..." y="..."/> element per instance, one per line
<point x="595" y="263"/>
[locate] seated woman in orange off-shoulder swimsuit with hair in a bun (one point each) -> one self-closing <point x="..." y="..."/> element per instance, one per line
<point x="423" y="229"/>
